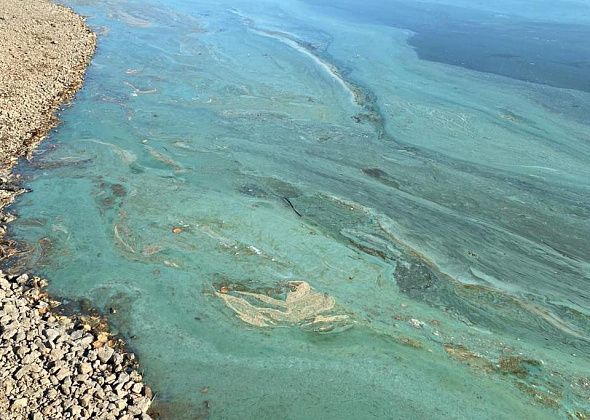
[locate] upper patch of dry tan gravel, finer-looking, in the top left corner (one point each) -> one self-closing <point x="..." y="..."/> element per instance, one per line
<point x="44" y="51"/>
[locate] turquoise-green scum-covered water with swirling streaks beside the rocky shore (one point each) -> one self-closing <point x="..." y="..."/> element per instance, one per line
<point x="440" y="214"/>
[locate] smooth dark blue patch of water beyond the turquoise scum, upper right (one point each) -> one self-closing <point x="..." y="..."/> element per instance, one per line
<point x="555" y="54"/>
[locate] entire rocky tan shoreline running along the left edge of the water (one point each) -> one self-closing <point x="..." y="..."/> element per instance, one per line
<point x="51" y="365"/>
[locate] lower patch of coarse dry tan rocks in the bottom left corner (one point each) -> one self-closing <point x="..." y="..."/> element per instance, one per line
<point x="54" y="366"/>
